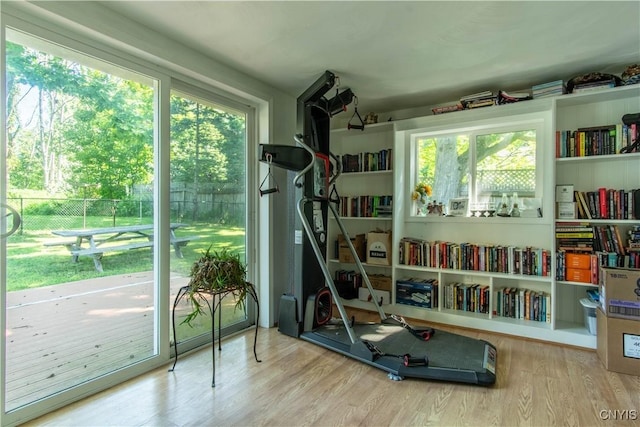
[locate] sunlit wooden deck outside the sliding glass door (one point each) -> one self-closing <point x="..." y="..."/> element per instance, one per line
<point x="59" y="336"/>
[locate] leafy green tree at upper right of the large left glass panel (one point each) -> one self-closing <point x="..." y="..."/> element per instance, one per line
<point x="111" y="144"/>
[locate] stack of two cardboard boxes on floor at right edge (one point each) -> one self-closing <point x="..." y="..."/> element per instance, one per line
<point x="618" y="320"/>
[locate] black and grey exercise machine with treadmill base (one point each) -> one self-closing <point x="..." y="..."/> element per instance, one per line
<point x="392" y="344"/>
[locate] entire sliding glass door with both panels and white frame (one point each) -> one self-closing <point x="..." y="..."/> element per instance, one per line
<point x="87" y="298"/>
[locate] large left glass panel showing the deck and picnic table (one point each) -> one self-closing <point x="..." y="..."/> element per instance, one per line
<point x="80" y="295"/>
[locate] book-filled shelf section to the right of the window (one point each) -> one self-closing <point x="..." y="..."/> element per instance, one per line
<point x="604" y="182"/>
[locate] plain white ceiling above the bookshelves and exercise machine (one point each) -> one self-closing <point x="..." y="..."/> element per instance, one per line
<point x="395" y="54"/>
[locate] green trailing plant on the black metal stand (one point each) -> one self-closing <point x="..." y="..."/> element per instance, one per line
<point x="219" y="272"/>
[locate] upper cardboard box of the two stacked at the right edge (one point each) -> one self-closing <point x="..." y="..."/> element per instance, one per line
<point x="620" y="292"/>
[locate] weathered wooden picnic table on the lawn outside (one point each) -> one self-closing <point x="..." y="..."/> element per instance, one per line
<point x="96" y="241"/>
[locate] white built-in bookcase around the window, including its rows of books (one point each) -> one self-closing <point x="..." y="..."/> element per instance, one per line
<point x="495" y="294"/>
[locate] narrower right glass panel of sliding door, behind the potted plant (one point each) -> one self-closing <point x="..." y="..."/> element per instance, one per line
<point x="208" y="196"/>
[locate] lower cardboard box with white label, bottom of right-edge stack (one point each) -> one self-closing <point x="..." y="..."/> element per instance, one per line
<point x="618" y="344"/>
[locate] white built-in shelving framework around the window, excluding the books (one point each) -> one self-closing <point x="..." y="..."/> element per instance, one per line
<point x="560" y="113"/>
